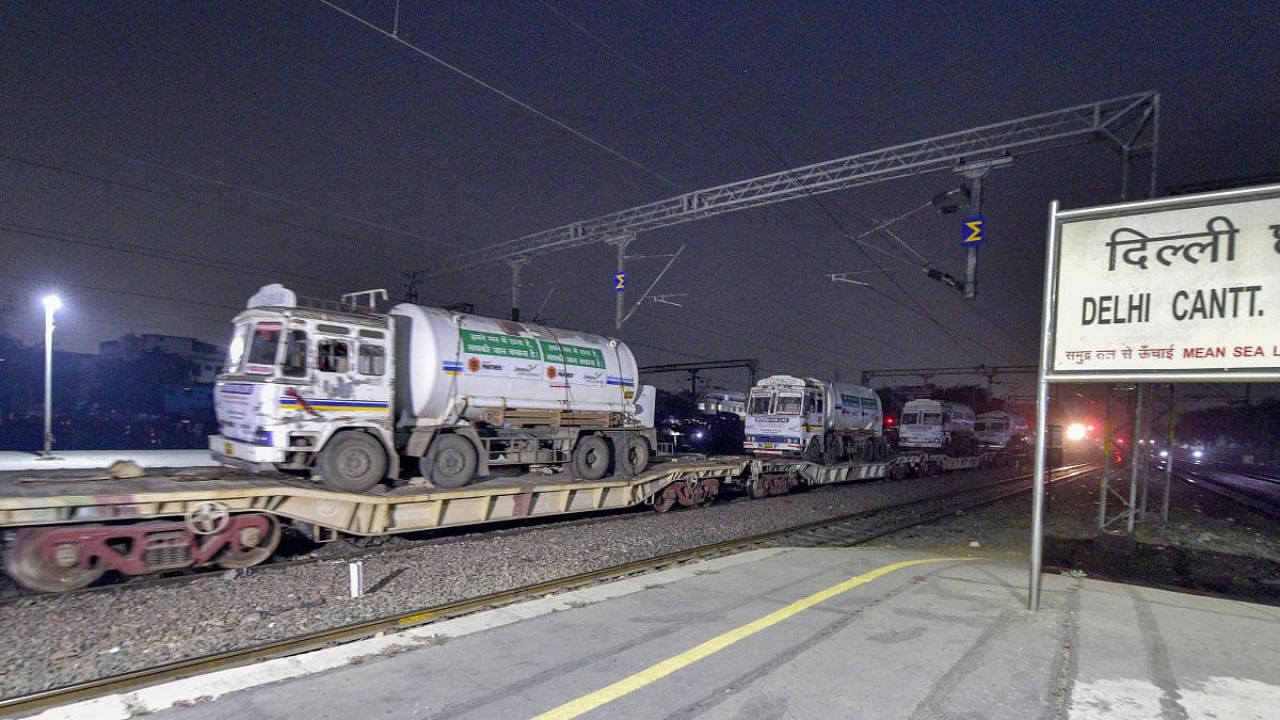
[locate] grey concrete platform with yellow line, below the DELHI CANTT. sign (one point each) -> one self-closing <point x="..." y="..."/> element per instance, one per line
<point x="784" y="634"/>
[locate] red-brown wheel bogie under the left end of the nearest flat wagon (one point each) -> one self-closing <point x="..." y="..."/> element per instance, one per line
<point x="54" y="559"/>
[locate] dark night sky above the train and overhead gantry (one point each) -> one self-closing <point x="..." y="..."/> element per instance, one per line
<point x="162" y="161"/>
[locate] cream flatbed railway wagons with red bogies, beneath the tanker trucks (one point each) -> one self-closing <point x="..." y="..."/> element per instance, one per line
<point x="66" y="534"/>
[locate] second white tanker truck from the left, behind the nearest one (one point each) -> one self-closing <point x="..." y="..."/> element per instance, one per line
<point x="816" y="421"/>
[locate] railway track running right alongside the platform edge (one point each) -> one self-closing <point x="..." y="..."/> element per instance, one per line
<point x="843" y="531"/>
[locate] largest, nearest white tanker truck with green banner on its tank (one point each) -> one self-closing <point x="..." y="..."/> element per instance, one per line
<point x="354" y="397"/>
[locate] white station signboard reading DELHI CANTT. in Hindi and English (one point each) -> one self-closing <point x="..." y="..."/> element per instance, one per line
<point x="1176" y="289"/>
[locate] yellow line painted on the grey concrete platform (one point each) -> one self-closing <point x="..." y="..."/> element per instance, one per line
<point x="661" y="671"/>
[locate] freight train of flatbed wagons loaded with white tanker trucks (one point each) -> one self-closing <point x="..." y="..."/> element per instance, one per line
<point x="373" y="423"/>
